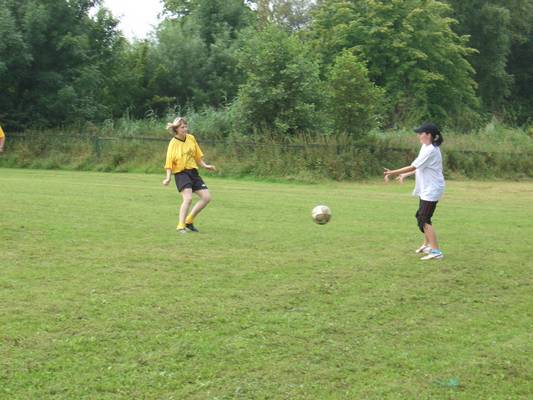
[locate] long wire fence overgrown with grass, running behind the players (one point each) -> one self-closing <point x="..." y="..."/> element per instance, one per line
<point x="304" y="161"/>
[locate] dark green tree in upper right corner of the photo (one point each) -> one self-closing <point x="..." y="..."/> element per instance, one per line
<point x="500" y="31"/>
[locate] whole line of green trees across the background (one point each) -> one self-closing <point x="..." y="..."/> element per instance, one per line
<point x="280" y="67"/>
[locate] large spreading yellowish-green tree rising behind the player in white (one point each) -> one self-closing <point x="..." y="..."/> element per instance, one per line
<point x="411" y="52"/>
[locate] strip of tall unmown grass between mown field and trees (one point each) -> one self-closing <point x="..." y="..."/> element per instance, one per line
<point x="127" y="145"/>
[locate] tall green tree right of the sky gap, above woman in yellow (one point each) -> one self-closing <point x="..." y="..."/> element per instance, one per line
<point x="195" y="56"/>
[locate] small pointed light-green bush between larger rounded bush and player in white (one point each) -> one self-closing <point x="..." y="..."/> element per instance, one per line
<point x="353" y="102"/>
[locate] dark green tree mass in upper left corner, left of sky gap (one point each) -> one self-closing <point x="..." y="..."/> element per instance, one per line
<point x="60" y="61"/>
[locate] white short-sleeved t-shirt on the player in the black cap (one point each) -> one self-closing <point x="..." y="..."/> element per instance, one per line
<point x="429" y="183"/>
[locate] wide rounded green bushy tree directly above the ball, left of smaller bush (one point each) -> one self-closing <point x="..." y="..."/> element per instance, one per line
<point x="282" y="85"/>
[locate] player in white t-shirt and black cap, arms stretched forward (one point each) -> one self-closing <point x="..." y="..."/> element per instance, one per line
<point x="429" y="186"/>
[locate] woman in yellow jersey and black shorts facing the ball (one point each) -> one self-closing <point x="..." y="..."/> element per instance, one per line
<point x="183" y="157"/>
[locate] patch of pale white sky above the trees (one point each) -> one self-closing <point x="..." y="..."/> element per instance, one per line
<point x="136" y="16"/>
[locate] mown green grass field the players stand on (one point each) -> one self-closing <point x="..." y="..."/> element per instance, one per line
<point x="101" y="299"/>
